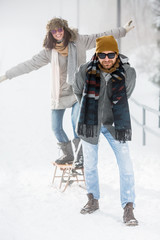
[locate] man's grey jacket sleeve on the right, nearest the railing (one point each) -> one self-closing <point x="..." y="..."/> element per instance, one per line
<point x="130" y="80"/>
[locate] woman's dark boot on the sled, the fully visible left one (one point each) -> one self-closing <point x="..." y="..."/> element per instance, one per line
<point x="67" y="157"/>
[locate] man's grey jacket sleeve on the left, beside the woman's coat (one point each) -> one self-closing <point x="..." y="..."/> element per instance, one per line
<point x="79" y="81"/>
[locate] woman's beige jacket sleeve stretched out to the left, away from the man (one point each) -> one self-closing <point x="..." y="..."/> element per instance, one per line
<point x="37" y="61"/>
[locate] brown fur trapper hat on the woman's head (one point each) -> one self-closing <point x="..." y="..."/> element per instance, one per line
<point x="59" y="22"/>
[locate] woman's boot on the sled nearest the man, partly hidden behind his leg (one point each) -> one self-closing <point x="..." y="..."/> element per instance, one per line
<point x="78" y="162"/>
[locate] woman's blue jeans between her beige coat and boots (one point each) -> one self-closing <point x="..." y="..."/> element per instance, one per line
<point x="57" y="122"/>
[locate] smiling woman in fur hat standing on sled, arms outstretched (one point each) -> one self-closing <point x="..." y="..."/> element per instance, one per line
<point x="66" y="50"/>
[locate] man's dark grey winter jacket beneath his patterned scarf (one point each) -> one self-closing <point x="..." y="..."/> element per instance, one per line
<point x="105" y="115"/>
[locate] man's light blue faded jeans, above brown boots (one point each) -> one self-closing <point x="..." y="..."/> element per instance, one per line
<point x="121" y="151"/>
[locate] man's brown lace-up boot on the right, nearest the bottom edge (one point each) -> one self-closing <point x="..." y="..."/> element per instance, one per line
<point x="128" y="216"/>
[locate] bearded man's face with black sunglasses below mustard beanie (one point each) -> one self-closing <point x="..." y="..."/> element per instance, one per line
<point x="107" y="61"/>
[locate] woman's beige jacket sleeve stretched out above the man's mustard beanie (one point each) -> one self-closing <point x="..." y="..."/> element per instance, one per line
<point x="89" y="41"/>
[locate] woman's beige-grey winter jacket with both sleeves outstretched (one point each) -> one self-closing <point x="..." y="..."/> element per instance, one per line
<point x="82" y="44"/>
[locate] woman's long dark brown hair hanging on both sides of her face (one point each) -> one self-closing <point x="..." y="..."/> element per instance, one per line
<point x="50" y="42"/>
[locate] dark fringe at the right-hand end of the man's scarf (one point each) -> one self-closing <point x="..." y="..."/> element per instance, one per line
<point x="123" y="135"/>
